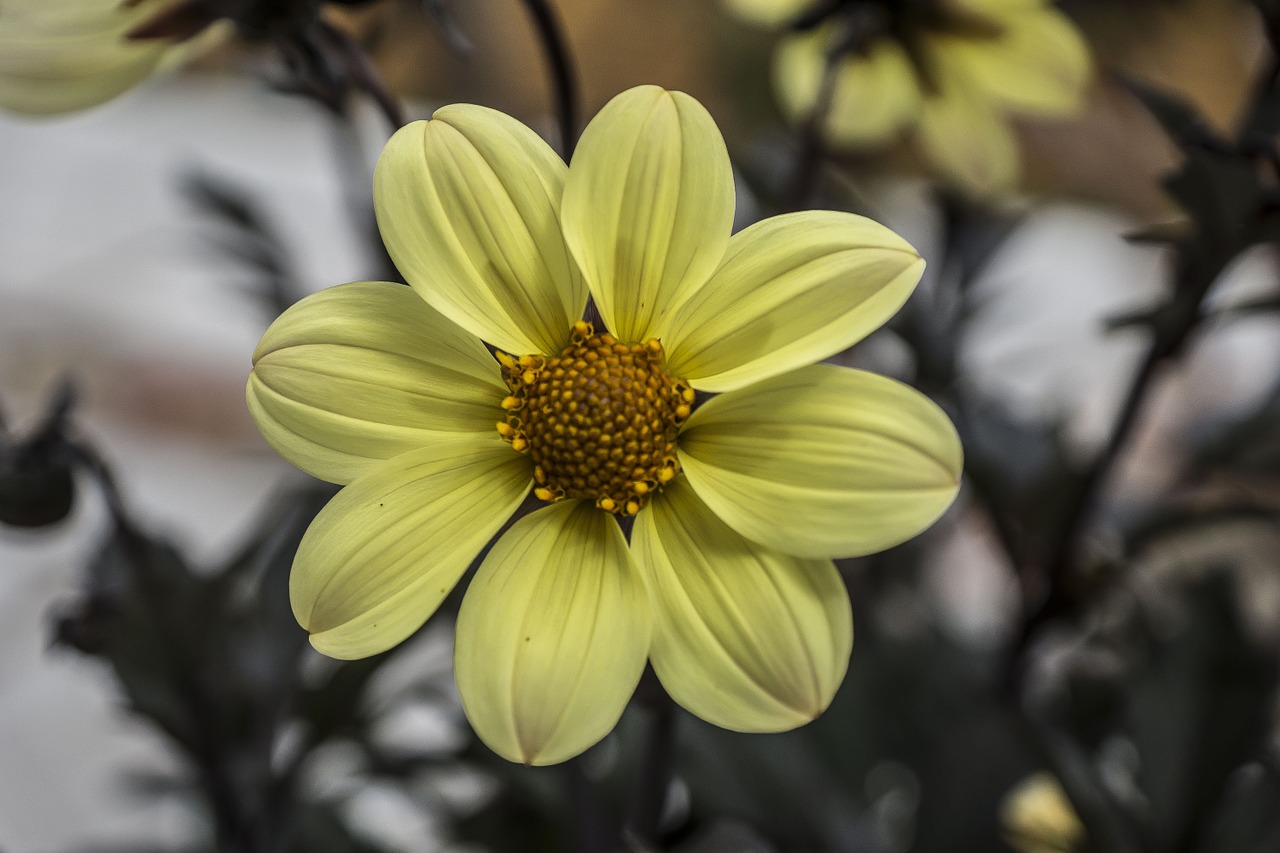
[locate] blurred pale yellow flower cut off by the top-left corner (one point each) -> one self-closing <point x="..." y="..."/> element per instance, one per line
<point x="63" y="56"/>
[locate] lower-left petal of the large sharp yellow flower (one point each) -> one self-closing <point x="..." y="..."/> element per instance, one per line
<point x="383" y="555"/>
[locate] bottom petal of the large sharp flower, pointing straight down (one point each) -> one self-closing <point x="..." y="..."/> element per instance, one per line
<point x="552" y="636"/>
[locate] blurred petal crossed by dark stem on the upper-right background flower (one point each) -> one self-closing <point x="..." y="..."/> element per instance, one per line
<point x="876" y="94"/>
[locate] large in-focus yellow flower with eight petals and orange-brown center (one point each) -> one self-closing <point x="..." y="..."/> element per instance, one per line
<point x="738" y="505"/>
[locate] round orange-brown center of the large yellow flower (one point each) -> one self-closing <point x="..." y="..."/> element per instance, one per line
<point x="600" y="421"/>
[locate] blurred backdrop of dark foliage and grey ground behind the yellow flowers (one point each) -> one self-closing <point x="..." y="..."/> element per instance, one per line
<point x="148" y="243"/>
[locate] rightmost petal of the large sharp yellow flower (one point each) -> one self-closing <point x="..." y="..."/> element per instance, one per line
<point x="824" y="462"/>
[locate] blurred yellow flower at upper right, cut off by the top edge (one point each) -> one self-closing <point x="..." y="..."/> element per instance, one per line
<point x="982" y="62"/>
